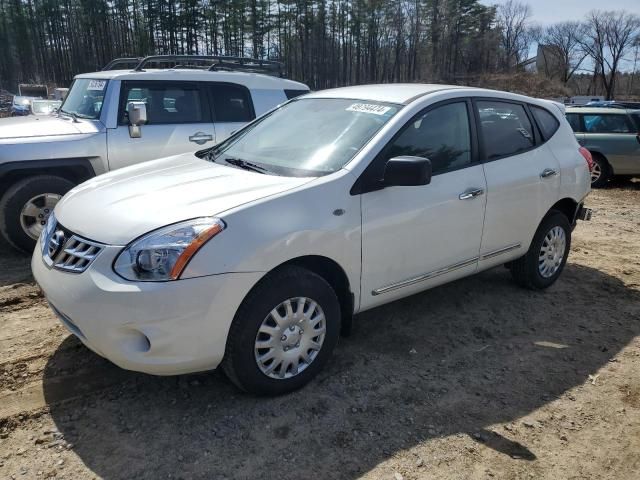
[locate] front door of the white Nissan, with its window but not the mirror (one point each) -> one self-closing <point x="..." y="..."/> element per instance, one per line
<point x="417" y="237"/>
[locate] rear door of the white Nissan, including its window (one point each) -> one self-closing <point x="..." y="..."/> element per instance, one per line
<point x="523" y="179"/>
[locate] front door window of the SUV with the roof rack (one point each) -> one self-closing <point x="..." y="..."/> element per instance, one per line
<point x="167" y="102"/>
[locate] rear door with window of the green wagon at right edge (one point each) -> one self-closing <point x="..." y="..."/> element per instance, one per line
<point x="616" y="137"/>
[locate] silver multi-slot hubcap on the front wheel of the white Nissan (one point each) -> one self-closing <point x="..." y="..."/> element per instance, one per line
<point x="290" y="338"/>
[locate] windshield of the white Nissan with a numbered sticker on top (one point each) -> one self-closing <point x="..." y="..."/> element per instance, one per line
<point x="306" y="137"/>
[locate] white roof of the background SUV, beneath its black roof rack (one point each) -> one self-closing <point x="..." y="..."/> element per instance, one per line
<point x="250" y="80"/>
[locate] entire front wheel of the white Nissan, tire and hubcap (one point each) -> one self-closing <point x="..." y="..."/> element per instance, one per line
<point x="283" y="333"/>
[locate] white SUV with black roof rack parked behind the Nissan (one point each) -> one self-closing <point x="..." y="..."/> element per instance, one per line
<point x="115" y="118"/>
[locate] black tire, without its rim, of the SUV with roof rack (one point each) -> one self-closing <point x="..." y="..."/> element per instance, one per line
<point x="14" y="200"/>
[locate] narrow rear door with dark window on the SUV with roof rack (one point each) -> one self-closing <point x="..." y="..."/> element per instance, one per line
<point x="232" y="108"/>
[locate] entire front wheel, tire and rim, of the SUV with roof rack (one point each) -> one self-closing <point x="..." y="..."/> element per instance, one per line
<point x="25" y="207"/>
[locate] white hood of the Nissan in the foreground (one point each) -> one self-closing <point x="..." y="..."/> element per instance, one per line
<point x="118" y="207"/>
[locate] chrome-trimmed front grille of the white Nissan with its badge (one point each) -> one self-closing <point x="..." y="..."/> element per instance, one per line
<point x="64" y="250"/>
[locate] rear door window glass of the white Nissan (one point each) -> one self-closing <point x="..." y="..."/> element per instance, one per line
<point x="505" y="127"/>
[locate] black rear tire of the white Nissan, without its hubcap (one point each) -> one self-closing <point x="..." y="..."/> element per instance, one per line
<point x="525" y="270"/>
